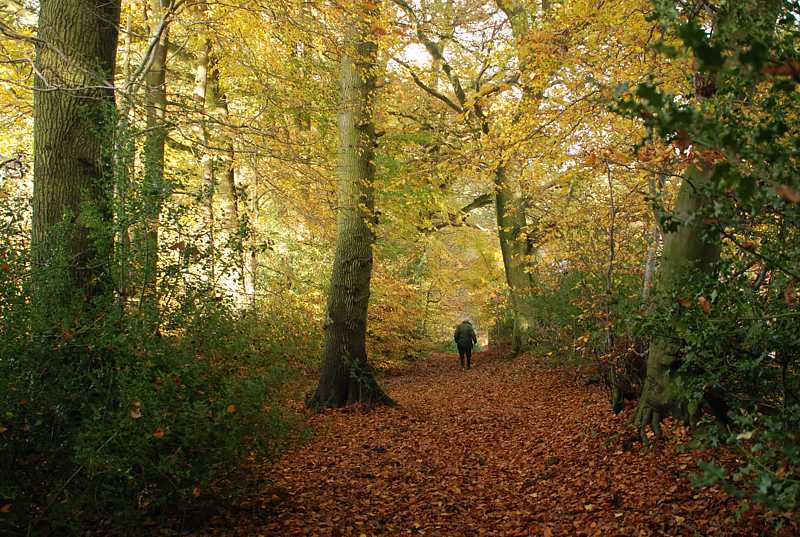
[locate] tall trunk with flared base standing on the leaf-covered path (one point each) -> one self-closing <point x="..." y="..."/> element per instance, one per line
<point x="346" y="376"/>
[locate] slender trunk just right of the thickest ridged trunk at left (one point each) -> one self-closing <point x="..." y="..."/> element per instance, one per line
<point x="154" y="186"/>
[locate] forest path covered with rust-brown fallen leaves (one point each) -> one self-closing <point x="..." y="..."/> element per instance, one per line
<point x="510" y="447"/>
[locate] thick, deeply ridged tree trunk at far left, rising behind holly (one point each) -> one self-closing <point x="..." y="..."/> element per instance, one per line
<point x="74" y="119"/>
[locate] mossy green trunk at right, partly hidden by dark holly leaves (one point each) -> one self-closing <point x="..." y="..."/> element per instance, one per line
<point x="693" y="249"/>
